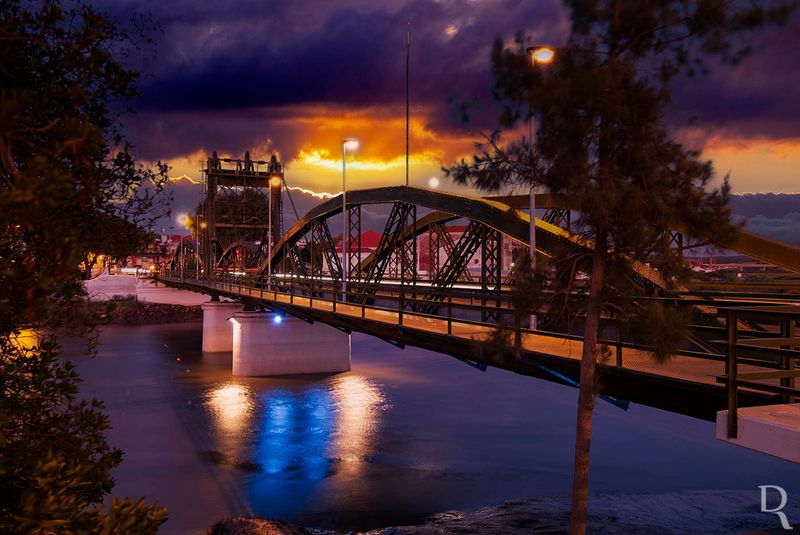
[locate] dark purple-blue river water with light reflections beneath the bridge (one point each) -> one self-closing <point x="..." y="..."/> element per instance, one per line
<point x="405" y="434"/>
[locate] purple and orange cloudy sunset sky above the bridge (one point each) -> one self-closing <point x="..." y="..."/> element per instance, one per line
<point x="294" y="78"/>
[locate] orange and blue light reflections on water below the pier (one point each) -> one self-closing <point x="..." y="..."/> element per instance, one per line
<point x="303" y="432"/>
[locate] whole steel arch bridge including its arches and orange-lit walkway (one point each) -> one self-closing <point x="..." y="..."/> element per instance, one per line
<point x="387" y="296"/>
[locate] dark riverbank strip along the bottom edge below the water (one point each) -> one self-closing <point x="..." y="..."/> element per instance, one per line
<point x="696" y="512"/>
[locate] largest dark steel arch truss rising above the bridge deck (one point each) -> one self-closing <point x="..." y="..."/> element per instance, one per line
<point x="490" y="222"/>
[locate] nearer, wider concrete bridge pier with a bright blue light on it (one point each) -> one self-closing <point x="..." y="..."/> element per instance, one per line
<point x="269" y="343"/>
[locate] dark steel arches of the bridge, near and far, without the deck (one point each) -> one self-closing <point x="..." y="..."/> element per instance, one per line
<point x="490" y="219"/>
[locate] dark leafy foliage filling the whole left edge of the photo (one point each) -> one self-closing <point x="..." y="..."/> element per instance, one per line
<point x="68" y="183"/>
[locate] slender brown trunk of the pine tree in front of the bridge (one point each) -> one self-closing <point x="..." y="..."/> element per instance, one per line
<point x="586" y="397"/>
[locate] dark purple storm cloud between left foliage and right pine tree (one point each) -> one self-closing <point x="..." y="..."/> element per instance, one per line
<point x="250" y="55"/>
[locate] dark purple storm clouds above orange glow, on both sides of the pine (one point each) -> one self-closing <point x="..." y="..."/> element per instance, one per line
<point x="223" y="72"/>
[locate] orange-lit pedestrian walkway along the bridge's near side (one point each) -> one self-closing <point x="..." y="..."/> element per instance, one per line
<point x="684" y="384"/>
